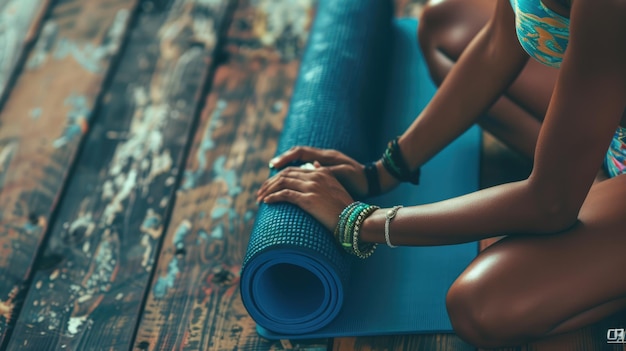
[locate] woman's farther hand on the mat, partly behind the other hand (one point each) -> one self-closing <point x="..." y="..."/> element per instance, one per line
<point x="348" y="171"/>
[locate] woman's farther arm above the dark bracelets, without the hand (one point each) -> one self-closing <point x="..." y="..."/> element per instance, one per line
<point x="489" y="64"/>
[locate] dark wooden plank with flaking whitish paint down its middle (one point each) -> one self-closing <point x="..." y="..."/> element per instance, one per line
<point x="107" y="234"/>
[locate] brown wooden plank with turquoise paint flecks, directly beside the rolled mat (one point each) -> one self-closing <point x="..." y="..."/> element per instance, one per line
<point x="194" y="301"/>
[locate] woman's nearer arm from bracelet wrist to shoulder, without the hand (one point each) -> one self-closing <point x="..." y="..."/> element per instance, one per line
<point x="585" y="109"/>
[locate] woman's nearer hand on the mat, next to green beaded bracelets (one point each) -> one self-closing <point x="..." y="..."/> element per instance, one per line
<point x="316" y="191"/>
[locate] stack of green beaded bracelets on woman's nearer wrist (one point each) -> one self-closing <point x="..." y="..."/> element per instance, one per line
<point x="347" y="231"/>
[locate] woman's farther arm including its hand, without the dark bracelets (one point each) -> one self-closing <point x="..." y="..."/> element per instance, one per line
<point x="489" y="65"/>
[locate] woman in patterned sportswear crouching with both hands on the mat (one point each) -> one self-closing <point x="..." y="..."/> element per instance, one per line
<point x="559" y="267"/>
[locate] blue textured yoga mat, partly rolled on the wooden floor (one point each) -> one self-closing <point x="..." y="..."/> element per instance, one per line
<point x="362" y="81"/>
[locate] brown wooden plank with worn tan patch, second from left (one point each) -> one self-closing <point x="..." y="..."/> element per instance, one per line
<point x="41" y="127"/>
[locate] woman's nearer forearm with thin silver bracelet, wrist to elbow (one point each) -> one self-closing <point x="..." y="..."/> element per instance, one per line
<point x="501" y="210"/>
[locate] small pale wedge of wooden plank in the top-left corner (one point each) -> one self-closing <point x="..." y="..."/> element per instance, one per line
<point x="19" y="24"/>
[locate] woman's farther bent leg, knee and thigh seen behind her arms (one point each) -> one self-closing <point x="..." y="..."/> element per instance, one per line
<point x="446" y="27"/>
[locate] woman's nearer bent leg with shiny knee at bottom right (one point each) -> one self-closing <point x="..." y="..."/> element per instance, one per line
<point x="528" y="287"/>
